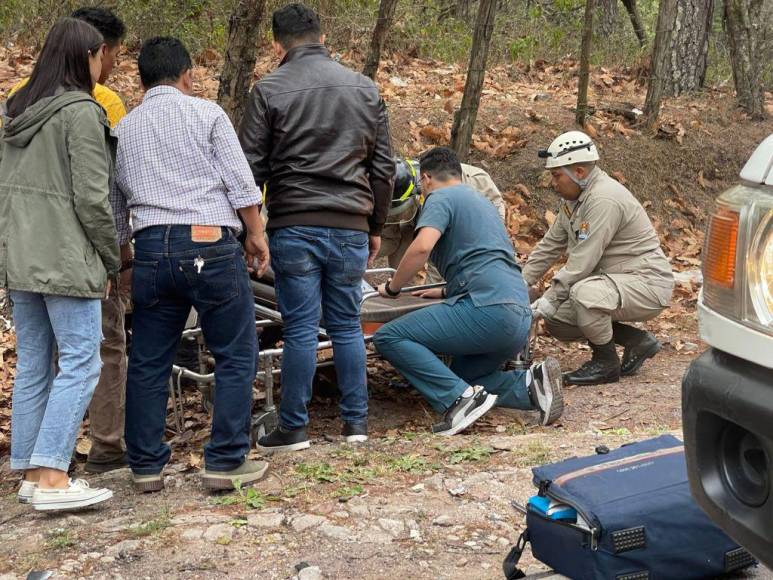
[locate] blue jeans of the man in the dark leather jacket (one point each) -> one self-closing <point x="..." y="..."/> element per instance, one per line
<point x="318" y="271"/>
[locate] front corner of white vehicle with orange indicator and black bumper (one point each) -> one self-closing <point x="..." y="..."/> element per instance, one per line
<point x="727" y="393"/>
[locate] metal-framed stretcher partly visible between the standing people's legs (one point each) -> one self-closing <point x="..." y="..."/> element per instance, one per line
<point x="375" y="311"/>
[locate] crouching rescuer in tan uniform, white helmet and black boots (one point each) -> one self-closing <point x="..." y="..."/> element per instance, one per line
<point x="615" y="271"/>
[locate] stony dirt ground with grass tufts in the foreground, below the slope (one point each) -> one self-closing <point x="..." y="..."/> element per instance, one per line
<point x="405" y="503"/>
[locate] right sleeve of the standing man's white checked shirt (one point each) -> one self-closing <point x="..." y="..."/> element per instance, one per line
<point x="232" y="165"/>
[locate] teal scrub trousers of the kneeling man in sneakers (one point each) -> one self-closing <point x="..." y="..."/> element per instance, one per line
<point x="480" y="339"/>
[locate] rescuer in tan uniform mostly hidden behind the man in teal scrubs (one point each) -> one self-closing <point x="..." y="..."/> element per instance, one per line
<point x="406" y="204"/>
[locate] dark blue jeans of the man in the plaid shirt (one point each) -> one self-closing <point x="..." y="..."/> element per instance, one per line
<point x="166" y="283"/>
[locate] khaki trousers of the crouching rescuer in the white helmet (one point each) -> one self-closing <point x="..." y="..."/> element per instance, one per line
<point x="597" y="301"/>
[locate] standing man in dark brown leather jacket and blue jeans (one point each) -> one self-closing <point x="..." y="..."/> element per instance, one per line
<point x="316" y="135"/>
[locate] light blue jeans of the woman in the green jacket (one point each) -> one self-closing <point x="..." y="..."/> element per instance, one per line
<point x="48" y="407"/>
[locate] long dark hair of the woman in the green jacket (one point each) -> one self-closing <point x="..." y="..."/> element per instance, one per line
<point x="63" y="62"/>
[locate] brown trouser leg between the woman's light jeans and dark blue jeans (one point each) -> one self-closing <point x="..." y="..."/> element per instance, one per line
<point x="106" y="411"/>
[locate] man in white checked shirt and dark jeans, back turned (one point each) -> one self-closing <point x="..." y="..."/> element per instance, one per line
<point x="181" y="173"/>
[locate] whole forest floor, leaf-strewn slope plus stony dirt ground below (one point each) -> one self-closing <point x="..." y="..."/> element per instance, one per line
<point x="407" y="503"/>
